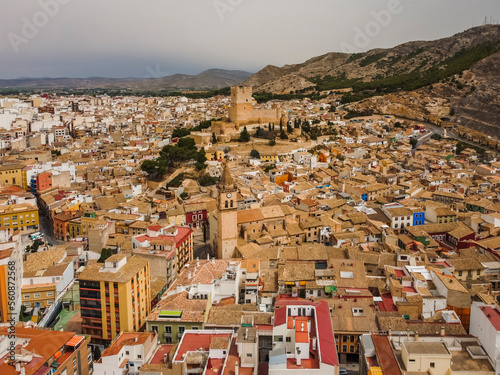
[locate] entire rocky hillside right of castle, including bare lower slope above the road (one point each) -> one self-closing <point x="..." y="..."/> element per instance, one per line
<point x="457" y="77"/>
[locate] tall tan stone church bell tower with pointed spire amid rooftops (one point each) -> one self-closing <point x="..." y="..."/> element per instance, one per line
<point x="227" y="221"/>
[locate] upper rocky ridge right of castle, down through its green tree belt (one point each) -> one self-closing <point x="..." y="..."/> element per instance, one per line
<point x="383" y="69"/>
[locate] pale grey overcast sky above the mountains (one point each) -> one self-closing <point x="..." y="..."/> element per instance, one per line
<point x="131" y="38"/>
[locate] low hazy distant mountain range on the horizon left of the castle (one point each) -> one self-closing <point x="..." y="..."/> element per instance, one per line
<point x="207" y="80"/>
